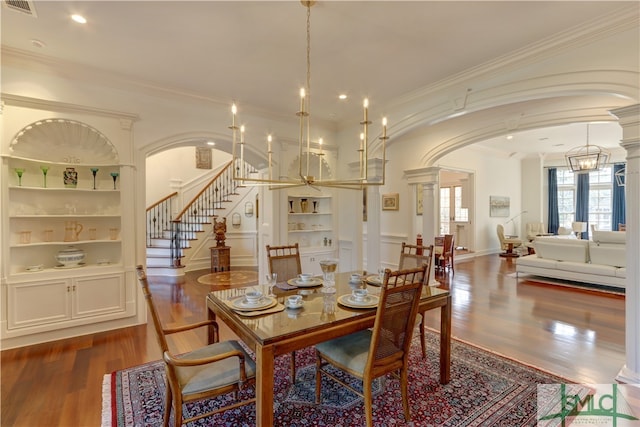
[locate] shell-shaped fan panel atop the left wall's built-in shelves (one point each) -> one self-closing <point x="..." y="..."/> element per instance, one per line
<point x="63" y="141"/>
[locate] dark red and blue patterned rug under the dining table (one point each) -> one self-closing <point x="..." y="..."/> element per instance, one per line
<point x="485" y="390"/>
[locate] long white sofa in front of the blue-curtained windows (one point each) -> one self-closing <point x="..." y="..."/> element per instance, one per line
<point x="600" y="261"/>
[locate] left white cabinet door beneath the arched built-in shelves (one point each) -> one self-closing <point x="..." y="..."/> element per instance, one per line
<point x="38" y="303"/>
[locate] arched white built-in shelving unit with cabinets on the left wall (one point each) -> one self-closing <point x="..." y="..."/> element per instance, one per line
<point x="78" y="203"/>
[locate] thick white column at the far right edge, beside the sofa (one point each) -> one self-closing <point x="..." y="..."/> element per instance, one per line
<point x="629" y="118"/>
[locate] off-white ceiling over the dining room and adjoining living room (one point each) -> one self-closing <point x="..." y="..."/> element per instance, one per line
<point x="253" y="52"/>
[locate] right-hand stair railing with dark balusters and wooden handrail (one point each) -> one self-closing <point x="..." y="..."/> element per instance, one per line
<point x="203" y="206"/>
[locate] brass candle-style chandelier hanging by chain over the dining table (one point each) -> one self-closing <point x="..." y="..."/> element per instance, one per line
<point x="305" y="174"/>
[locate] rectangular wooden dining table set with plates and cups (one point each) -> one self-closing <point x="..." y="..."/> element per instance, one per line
<point x="321" y="317"/>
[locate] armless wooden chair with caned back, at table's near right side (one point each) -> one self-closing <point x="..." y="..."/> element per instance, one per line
<point x="383" y="349"/>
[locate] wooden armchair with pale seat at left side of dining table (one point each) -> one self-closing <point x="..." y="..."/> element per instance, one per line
<point x="204" y="373"/>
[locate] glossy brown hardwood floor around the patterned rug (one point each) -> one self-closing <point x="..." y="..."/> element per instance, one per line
<point x="578" y="335"/>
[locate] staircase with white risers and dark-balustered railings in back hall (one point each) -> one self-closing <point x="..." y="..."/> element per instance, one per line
<point x="169" y="239"/>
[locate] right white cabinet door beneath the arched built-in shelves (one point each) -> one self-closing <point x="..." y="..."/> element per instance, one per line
<point x="93" y="296"/>
